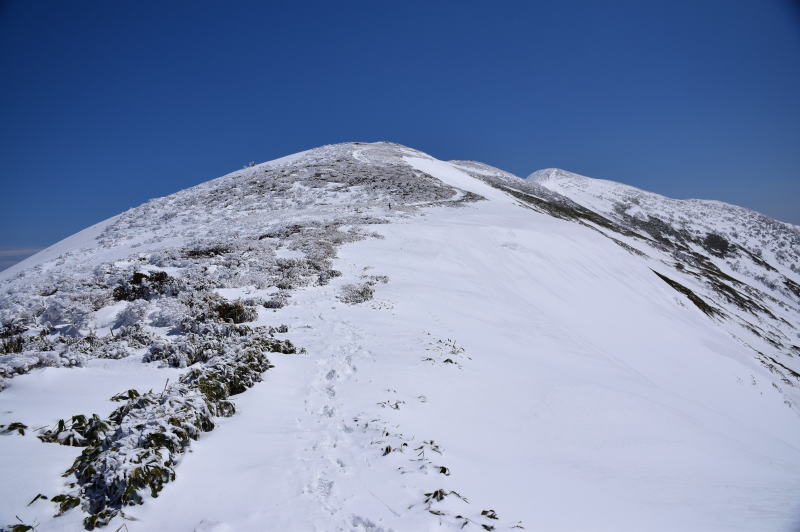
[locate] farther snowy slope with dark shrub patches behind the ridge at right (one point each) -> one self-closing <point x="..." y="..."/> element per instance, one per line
<point x="749" y="272"/>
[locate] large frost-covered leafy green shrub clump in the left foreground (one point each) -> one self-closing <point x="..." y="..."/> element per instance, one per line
<point x="136" y="448"/>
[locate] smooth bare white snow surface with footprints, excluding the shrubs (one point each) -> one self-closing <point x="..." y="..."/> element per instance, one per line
<point x="565" y="386"/>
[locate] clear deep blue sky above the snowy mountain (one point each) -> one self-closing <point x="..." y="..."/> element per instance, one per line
<point x="104" y="105"/>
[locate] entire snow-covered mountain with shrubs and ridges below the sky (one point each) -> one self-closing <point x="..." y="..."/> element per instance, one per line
<point x="363" y="337"/>
